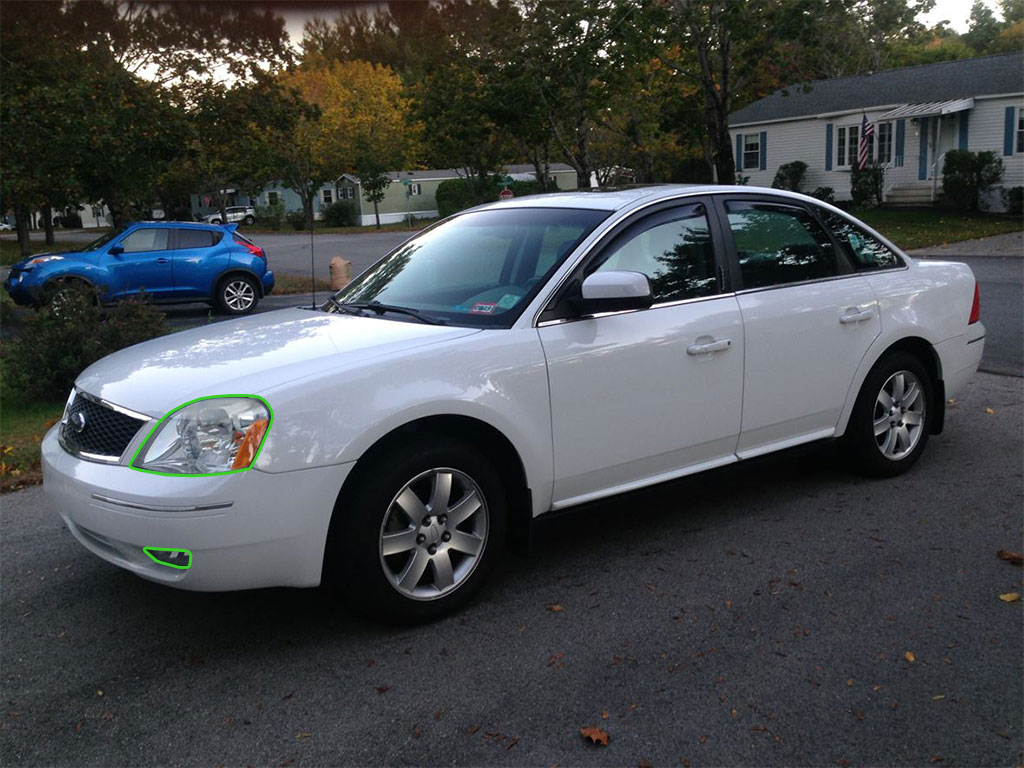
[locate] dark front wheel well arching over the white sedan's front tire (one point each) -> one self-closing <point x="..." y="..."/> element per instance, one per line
<point x="489" y="439"/>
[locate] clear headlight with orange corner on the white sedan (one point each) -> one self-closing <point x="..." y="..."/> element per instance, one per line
<point x="211" y="436"/>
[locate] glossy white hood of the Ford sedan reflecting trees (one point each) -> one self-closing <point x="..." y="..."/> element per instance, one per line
<point x="249" y="356"/>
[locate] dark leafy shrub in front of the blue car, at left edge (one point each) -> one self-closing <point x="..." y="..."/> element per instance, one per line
<point x="54" y="348"/>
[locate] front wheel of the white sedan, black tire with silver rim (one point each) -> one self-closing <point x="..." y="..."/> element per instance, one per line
<point x="420" y="532"/>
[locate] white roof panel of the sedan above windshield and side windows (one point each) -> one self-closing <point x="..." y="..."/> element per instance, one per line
<point x="618" y="200"/>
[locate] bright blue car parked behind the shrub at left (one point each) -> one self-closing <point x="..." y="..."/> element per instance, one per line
<point x="169" y="262"/>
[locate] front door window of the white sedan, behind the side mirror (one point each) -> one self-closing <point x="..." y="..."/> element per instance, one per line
<point x="676" y="255"/>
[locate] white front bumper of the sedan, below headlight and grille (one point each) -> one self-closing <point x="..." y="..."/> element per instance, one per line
<point x="244" y="531"/>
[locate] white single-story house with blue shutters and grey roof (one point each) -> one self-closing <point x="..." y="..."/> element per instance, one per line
<point x="919" y="113"/>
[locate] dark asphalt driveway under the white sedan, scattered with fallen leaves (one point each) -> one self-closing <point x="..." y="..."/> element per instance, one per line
<point x="777" y="613"/>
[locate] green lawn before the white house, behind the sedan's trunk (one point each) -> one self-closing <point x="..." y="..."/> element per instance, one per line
<point x="911" y="229"/>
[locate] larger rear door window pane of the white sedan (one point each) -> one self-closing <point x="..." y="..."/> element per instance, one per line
<point x="778" y="244"/>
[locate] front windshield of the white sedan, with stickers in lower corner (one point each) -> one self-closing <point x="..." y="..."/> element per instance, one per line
<point x="479" y="270"/>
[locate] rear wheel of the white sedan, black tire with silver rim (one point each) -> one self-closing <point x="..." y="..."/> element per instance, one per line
<point x="892" y="417"/>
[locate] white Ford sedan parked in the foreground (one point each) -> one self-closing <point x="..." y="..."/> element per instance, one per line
<point x="514" y="360"/>
